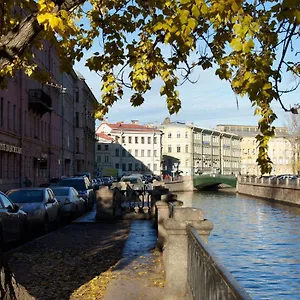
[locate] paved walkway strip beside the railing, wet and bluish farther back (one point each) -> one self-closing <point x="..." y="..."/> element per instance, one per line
<point x="140" y="274"/>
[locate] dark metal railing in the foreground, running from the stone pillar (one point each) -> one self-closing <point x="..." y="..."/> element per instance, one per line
<point x="208" y="278"/>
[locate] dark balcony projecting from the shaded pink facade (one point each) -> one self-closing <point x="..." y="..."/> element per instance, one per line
<point x="39" y="101"/>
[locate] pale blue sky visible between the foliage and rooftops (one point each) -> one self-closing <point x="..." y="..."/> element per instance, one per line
<point x="206" y="103"/>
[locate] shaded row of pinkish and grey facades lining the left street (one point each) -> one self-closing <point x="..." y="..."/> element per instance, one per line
<point x="38" y="126"/>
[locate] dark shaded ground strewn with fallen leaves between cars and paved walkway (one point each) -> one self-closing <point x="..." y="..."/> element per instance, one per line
<point x="71" y="263"/>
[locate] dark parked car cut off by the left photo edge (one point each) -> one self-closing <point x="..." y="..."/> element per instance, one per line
<point x="13" y="221"/>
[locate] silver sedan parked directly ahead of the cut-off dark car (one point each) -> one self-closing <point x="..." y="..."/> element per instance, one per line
<point x="40" y="204"/>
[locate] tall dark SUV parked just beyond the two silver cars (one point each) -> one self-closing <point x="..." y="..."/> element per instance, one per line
<point x="83" y="187"/>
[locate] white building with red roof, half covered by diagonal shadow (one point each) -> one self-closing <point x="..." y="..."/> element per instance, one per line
<point x="128" y="148"/>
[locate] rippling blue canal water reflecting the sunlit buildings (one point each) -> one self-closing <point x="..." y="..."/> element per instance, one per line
<point x="257" y="240"/>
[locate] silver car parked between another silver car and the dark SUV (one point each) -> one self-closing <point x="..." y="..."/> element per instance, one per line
<point x="70" y="202"/>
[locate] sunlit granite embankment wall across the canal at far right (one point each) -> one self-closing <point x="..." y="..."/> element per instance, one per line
<point x="289" y="194"/>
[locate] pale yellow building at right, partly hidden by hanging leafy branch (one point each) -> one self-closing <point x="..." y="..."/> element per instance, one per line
<point x="280" y="149"/>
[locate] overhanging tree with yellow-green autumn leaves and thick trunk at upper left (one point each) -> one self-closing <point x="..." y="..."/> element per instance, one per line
<point x="249" y="43"/>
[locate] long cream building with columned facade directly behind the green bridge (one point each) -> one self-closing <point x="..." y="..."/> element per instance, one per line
<point x="189" y="149"/>
